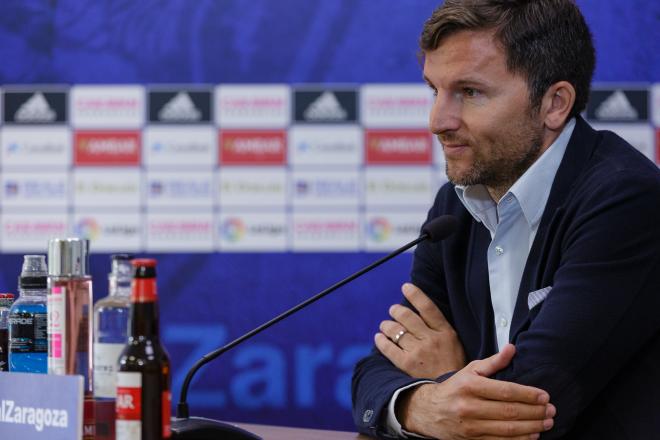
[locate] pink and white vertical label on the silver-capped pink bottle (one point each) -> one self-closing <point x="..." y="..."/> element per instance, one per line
<point x="56" y="330"/>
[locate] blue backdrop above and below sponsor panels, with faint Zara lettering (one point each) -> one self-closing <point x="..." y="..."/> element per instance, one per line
<point x="298" y="373"/>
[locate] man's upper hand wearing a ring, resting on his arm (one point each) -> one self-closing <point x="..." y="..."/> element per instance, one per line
<point x="429" y="346"/>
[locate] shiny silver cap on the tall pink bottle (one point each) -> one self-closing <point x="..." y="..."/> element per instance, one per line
<point x="68" y="257"/>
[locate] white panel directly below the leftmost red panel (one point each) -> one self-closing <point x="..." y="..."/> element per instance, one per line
<point x="107" y="187"/>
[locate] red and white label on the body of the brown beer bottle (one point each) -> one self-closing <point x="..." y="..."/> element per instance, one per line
<point x="129" y="406"/>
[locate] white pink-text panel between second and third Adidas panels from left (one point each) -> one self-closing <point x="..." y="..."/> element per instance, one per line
<point x="253" y="106"/>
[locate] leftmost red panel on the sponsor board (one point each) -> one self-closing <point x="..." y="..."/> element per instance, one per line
<point x="107" y="148"/>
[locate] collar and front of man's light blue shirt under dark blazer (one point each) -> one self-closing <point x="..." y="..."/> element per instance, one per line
<point x="513" y="223"/>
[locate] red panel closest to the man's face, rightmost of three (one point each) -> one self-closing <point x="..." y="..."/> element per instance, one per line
<point x="398" y="147"/>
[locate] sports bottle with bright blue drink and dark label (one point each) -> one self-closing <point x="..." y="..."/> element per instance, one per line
<point x="28" y="338"/>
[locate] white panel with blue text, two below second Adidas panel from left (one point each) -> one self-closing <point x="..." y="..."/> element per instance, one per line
<point x="179" y="189"/>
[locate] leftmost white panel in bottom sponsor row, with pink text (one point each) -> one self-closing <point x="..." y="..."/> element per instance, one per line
<point x="22" y="233"/>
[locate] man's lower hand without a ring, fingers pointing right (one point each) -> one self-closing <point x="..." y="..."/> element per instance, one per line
<point x="469" y="405"/>
